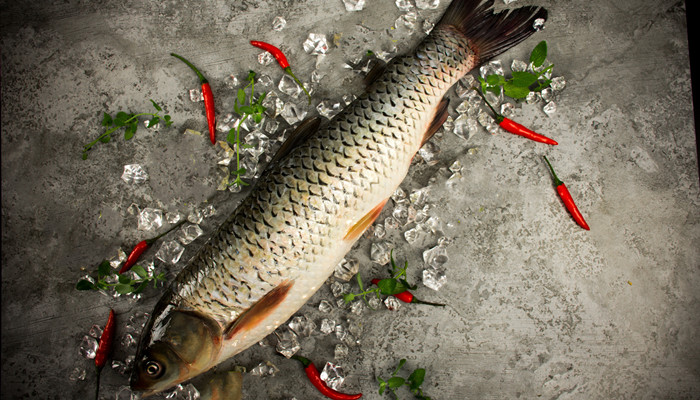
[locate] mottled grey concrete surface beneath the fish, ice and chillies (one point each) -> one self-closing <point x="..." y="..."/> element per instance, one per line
<point x="536" y="306"/>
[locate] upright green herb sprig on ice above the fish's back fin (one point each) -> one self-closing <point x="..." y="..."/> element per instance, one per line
<point x="255" y="110"/>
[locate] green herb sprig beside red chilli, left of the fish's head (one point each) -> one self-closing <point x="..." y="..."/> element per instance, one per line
<point x="124" y="284"/>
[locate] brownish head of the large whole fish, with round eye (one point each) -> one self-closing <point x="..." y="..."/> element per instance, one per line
<point x="176" y="346"/>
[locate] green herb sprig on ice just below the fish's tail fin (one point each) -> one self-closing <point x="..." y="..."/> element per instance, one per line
<point x="522" y="82"/>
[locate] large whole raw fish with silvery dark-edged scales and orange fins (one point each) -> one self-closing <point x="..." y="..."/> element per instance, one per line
<point x="321" y="191"/>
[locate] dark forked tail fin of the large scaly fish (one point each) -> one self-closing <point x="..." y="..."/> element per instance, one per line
<point x="490" y="33"/>
